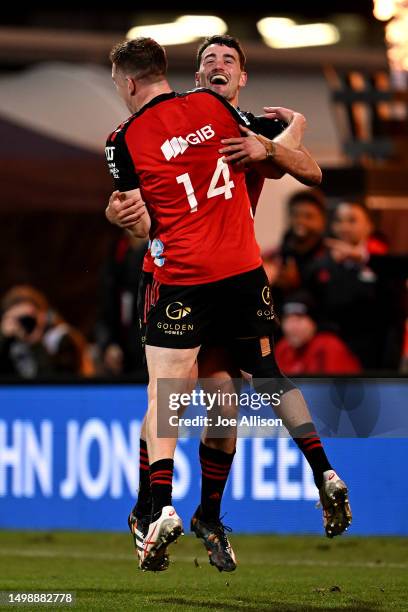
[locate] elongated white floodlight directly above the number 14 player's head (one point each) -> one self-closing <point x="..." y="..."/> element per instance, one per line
<point x="184" y="29"/>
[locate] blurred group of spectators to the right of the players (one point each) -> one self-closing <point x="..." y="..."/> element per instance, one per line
<point x="340" y="295"/>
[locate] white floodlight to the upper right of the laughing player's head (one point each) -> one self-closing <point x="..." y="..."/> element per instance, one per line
<point x="291" y="35"/>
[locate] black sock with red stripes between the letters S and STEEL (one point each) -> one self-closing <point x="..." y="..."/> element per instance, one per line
<point x="215" y="469"/>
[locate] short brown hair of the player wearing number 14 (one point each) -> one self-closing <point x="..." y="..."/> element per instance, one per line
<point x="143" y="58"/>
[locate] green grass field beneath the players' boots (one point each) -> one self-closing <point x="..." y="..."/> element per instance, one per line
<point x="275" y="573"/>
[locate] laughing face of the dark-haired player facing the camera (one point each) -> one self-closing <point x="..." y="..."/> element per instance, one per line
<point x="220" y="71"/>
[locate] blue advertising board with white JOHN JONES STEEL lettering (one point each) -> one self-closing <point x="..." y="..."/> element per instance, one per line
<point x="69" y="460"/>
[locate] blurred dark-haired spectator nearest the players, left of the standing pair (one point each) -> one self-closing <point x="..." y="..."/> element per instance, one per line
<point x="302" y="244"/>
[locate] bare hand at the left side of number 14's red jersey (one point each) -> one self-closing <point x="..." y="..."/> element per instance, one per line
<point x="128" y="211"/>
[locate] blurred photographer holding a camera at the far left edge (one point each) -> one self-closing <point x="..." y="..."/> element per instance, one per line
<point x="35" y="340"/>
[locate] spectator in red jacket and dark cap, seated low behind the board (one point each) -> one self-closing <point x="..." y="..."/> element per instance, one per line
<point x="306" y="350"/>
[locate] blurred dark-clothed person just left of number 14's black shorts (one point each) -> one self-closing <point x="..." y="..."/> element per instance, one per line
<point x="118" y="330"/>
